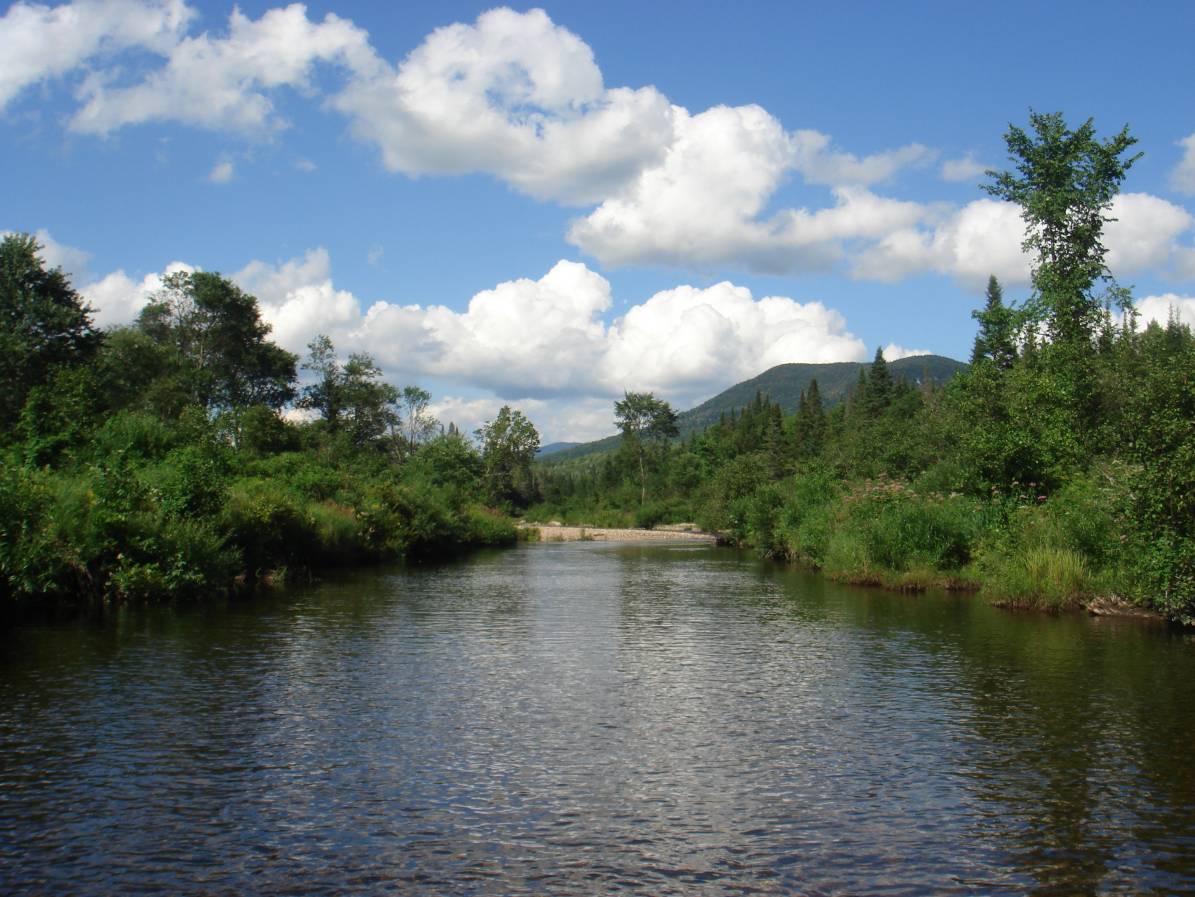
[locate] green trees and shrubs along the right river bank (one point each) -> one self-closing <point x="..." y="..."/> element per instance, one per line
<point x="1058" y="470"/>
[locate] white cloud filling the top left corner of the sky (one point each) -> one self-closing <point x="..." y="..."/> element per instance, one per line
<point x="41" y="42"/>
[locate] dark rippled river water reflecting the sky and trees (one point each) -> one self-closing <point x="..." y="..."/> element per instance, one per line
<point x="591" y="718"/>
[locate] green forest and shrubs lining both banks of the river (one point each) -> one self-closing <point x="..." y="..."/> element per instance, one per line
<point x="188" y="454"/>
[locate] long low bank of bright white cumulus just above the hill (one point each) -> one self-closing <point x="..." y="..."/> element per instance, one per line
<point x="548" y="337"/>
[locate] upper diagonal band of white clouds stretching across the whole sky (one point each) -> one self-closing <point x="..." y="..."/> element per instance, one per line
<point x="522" y="99"/>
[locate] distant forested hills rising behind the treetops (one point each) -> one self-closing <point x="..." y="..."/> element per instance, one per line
<point x="783" y="385"/>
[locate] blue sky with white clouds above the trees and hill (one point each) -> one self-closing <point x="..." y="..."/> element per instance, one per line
<point x="549" y="206"/>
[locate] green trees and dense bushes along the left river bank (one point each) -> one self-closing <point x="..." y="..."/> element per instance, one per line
<point x="160" y="460"/>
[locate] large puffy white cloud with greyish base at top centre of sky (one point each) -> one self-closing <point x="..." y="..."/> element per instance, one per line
<point x="513" y="95"/>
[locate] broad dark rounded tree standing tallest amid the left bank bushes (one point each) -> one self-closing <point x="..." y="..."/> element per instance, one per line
<point x="222" y="346"/>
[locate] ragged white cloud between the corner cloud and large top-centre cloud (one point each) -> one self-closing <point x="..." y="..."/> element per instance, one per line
<point x="224" y="82"/>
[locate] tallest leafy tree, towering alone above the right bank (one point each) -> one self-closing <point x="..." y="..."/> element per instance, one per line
<point x="1065" y="182"/>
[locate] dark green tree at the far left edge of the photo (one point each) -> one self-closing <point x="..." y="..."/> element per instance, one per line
<point x="45" y="323"/>
